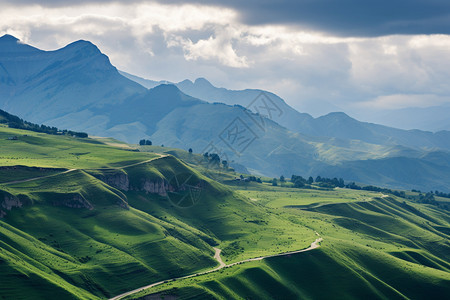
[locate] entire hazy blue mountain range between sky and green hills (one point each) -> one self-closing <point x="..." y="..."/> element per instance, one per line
<point x="77" y="87"/>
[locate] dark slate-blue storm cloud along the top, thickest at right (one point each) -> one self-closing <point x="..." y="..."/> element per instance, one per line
<point x="354" y="18"/>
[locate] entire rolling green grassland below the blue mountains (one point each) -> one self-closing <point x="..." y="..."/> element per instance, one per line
<point x="87" y="219"/>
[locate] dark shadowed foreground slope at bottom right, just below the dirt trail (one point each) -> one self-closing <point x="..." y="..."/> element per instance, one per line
<point x="324" y="273"/>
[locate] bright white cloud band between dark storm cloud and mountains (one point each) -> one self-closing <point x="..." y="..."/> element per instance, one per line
<point x="306" y="68"/>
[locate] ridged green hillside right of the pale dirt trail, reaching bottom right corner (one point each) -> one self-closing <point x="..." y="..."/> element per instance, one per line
<point x="379" y="249"/>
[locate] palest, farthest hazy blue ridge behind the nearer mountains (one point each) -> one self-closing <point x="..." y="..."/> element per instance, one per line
<point x="338" y="125"/>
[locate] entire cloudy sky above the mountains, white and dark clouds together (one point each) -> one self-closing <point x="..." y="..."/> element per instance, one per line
<point x="361" y="57"/>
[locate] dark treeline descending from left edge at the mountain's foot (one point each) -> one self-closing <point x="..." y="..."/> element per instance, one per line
<point x="16" y="122"/>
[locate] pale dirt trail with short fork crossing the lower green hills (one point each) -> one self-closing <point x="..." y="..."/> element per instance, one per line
<point x="222" y="265"/>
